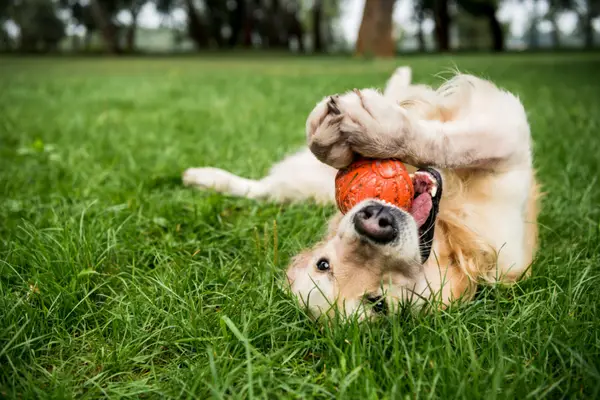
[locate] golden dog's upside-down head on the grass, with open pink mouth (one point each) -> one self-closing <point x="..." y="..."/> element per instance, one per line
<point x="371" y="257"/>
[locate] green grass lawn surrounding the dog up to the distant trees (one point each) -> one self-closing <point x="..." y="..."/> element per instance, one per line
<point x="116" y="281"/>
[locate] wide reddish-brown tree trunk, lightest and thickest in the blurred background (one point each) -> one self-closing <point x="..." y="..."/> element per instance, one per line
<point x="375" y="32"/>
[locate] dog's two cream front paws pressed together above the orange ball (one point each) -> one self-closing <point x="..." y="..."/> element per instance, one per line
<point x="359" y="122"/>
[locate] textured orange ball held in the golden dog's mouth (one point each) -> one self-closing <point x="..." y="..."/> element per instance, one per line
<point x="367" y="179"/>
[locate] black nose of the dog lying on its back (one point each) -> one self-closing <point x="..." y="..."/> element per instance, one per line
<point x="377" y="223"/>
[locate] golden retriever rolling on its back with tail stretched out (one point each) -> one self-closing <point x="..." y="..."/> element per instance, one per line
<point x="468" y="148"/>
